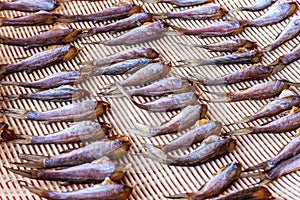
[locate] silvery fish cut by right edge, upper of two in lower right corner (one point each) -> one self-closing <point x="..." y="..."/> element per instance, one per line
<point x="290" y="150"/>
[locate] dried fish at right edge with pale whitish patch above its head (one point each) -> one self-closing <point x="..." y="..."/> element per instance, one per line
<point x="286" y="101"/>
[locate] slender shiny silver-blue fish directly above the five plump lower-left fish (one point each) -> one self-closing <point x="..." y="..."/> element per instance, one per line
<point x="60" y="94"/>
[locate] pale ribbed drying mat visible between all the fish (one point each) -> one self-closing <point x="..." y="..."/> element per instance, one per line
<point x="152" y="180"/>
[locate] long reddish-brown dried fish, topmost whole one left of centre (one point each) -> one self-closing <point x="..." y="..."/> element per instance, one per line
<point x="118" y="11"/>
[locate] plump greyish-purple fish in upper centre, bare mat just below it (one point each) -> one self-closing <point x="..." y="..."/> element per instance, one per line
<point x="144" y="33"/>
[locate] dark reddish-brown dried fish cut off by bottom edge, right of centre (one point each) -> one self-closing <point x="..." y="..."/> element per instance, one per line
<point x="252" y="193"/>
